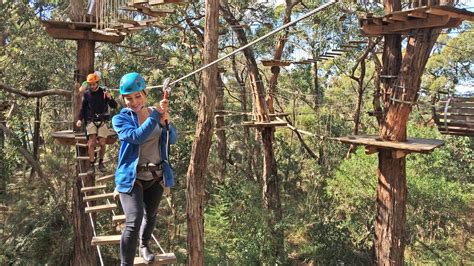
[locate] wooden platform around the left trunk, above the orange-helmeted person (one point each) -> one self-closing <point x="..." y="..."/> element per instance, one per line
<point x="77" y="31"/>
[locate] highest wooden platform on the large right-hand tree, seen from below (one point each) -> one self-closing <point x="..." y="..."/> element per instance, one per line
<point x="402" y="22"/>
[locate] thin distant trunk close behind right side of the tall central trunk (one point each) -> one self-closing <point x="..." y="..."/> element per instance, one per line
<point x="221" y="136"/>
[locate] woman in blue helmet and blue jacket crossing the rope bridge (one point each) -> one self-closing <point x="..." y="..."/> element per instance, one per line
<point x="143" y="170"/>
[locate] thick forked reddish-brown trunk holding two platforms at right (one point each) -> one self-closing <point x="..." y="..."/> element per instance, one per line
<point x="392" y="189"/>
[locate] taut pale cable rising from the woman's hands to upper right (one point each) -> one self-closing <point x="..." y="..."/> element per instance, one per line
<point x="284" y="26"/>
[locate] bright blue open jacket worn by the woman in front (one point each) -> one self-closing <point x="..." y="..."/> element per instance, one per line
<point x="131" y="135"/>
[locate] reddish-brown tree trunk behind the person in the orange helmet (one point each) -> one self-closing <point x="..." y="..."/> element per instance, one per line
<point x="83" y="252"/>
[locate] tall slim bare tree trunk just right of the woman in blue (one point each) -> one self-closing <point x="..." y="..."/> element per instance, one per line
<point x="202" y="141"/>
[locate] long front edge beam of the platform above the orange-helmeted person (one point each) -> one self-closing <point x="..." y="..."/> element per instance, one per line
<point x="68" y="34"/>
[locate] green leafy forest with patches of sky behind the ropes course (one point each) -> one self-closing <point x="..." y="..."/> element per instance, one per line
<point x="327" y="195"/>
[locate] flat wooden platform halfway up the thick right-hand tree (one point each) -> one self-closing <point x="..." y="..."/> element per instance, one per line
<point x="412" y="144"/>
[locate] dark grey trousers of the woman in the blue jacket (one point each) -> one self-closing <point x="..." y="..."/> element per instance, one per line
<point x="140" y="207"/>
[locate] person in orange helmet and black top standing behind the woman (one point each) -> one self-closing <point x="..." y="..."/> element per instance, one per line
<point x="94" y="111"/>
